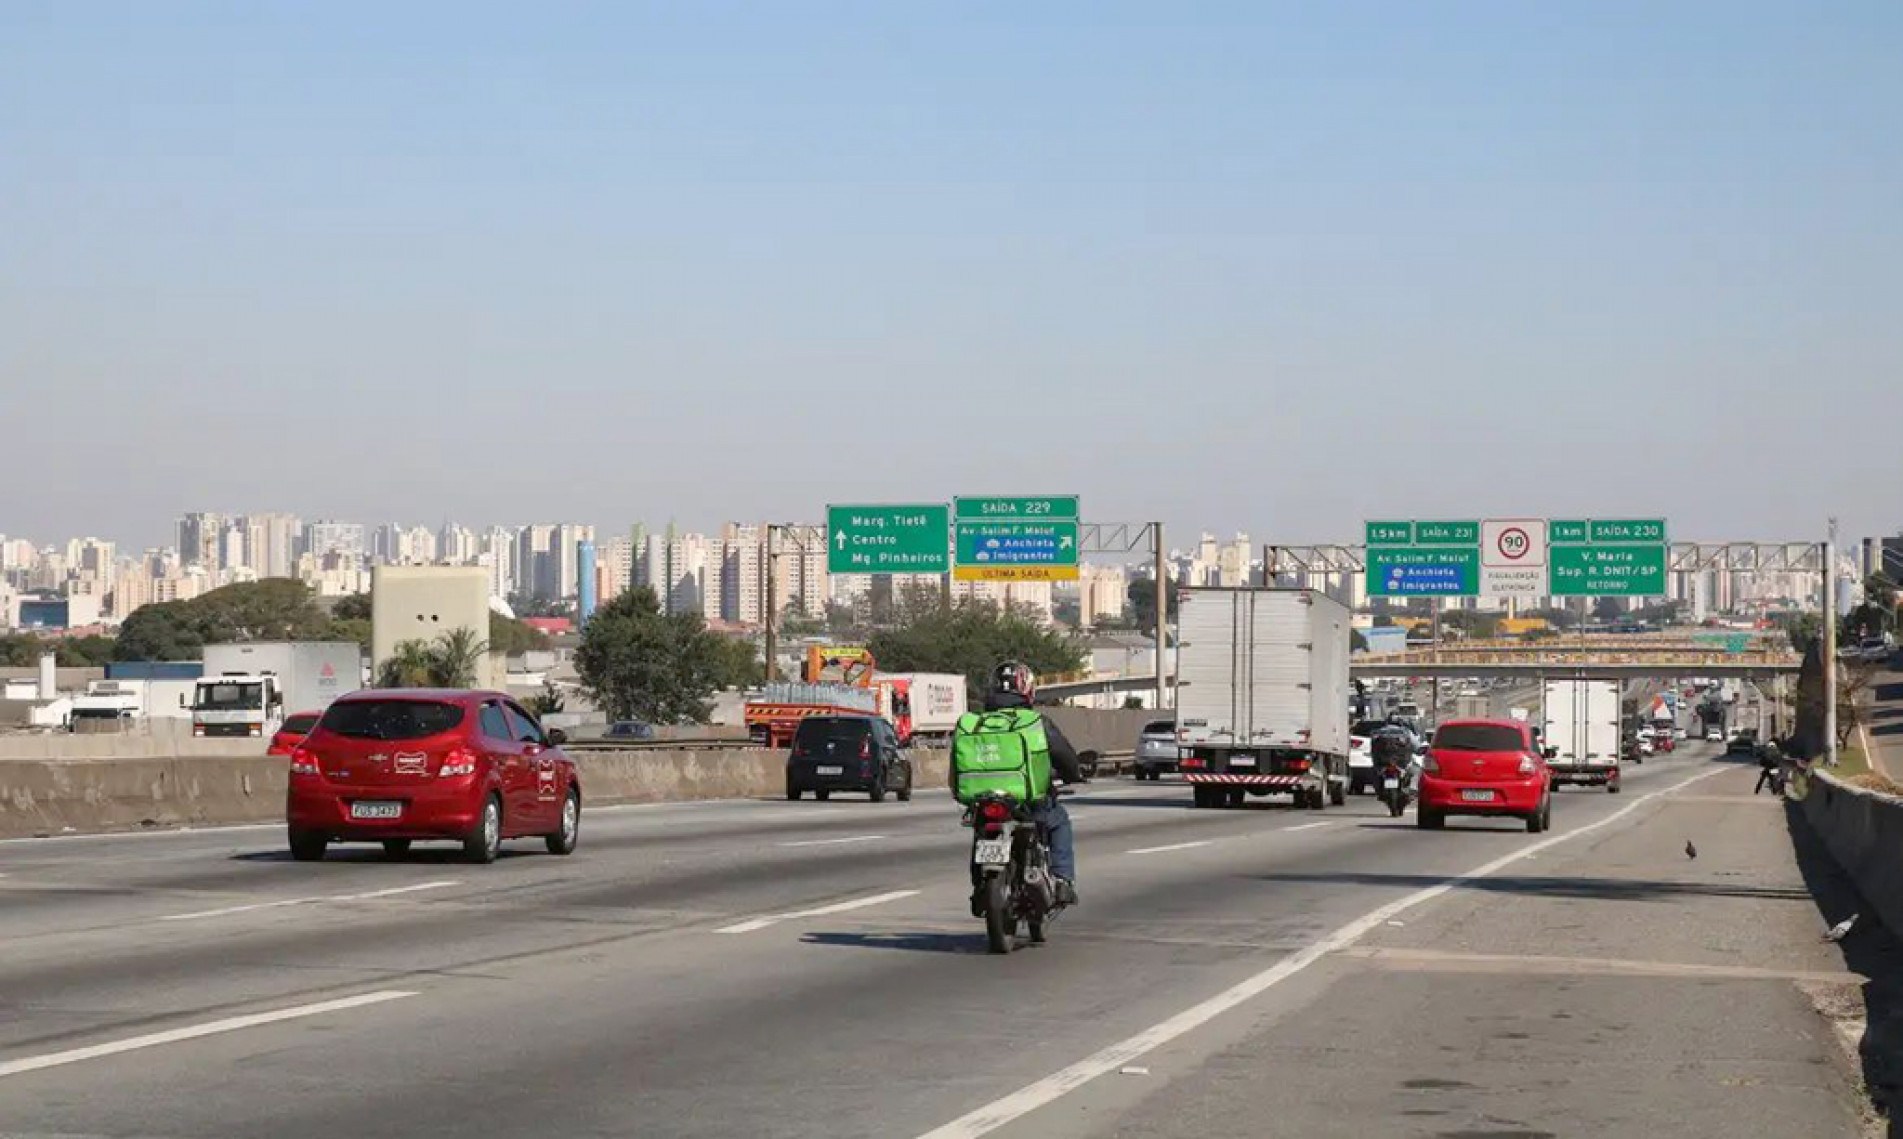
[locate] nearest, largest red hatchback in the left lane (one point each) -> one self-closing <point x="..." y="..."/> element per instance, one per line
<point x="399" y="765"/>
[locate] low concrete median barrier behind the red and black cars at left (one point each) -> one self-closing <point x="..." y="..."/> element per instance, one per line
<point x="100" y="796"/>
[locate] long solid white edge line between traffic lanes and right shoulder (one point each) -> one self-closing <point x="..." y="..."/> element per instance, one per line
<point x="1027" y="1100"/>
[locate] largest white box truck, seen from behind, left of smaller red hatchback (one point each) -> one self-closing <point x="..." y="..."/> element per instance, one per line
<point x="1263" y="695"/>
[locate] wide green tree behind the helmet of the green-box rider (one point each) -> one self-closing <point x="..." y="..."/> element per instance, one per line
<point x="973" y="638"/>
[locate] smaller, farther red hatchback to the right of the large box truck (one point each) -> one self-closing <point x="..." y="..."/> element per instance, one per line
<point x="1485" y="769"/>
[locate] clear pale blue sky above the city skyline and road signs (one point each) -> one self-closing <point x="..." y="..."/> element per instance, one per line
<point x="1268" y="267"/>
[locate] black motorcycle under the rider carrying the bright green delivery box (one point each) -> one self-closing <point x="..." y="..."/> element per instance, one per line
<point x="1011" y="872"/>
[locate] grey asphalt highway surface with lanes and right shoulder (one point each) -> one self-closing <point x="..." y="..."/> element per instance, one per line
<point x="810" y="969"/>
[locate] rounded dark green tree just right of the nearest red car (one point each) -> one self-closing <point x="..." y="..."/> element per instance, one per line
<point x="638" y="663"/>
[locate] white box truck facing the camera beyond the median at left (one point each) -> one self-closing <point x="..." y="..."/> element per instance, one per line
<point x="248" y="689"/>
